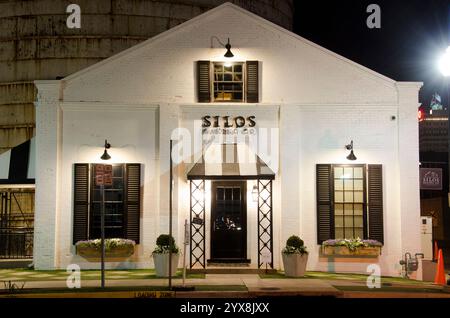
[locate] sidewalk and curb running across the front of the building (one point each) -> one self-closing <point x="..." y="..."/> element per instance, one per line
<point x="231" y="286"/>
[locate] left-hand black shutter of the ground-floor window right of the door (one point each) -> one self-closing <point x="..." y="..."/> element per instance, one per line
<point x="325" y="222"/>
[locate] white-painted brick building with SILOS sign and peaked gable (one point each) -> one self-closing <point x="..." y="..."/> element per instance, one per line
<point x="313" y="101"/>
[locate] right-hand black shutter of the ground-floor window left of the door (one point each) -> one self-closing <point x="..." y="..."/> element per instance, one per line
<point x="133" y="201"/>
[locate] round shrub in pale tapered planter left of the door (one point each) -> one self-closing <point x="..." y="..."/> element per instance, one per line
<point x="164" y="245"/>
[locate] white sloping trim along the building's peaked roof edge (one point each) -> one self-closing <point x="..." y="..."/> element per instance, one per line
<point x="217" y="11"/>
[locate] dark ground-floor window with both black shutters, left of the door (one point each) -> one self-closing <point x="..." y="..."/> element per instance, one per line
<point x="122" y="203"/>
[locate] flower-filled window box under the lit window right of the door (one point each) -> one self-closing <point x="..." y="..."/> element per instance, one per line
<point x="351" y="247"/>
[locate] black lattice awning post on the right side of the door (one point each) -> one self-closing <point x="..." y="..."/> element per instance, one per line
<point x="265" y="220"/>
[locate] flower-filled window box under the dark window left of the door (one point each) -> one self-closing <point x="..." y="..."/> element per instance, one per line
<point x="114" y="248"/>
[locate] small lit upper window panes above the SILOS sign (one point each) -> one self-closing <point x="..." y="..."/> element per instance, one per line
<point x="228" y="82"/>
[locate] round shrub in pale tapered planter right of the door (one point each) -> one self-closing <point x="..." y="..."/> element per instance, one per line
<point x="295" y="257"/>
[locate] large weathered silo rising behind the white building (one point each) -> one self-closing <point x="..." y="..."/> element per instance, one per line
<point x="35" y="43"/>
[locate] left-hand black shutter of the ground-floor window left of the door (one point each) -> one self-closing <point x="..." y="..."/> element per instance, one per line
<point x="81" y="202"/>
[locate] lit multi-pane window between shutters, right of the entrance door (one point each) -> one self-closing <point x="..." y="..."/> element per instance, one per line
<point x="349" y="202"/>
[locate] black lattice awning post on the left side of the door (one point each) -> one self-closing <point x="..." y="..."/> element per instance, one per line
<point x="198" y="223"/>
